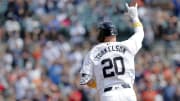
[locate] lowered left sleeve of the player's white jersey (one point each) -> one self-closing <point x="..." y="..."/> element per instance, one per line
<point x="86" y="73"/>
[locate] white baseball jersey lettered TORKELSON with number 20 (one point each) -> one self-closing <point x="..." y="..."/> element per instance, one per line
<point x="112" y="63"/>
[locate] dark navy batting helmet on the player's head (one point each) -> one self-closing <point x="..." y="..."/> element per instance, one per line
<point x="106" y="28"/>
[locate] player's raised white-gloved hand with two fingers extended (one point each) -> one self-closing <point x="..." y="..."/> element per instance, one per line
<point x="132" y="11"/>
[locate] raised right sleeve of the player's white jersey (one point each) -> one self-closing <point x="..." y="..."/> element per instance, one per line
<point x="134" y="43"/>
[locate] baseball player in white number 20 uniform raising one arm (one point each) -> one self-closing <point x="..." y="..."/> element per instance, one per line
<point x="109" y="66"/>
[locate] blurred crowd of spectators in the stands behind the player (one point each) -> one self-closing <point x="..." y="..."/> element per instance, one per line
<point x="43" y="43"/>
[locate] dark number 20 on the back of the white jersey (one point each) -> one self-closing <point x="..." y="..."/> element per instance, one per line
<point x="112" y="67"/>
